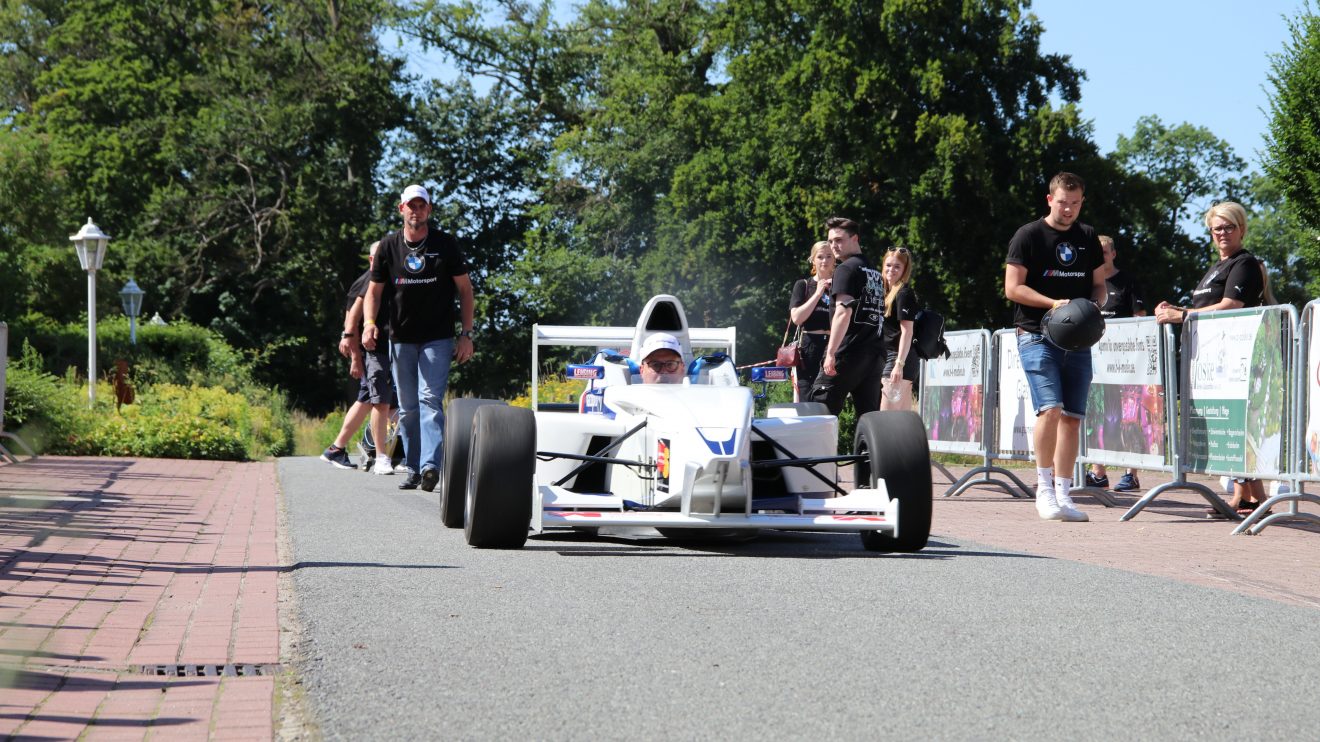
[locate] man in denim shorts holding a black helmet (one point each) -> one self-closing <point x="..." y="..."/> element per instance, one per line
<point x="1051" y="262"/>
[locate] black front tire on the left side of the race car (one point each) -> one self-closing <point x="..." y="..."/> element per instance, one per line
<point x="501" y="477"/>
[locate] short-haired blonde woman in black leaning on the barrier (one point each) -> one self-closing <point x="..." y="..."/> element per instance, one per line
<point x="1237" y="281"/>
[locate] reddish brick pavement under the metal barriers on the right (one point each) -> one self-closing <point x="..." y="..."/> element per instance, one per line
<point x="1171" y="538"/>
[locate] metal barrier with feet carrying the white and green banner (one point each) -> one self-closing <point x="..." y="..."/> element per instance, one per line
<point x="1236" y="391"/>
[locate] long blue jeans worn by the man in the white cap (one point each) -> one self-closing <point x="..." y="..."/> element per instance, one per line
<point x="422" y="376"/>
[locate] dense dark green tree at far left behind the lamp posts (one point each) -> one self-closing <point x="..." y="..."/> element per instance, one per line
<point x="230" y="150"/>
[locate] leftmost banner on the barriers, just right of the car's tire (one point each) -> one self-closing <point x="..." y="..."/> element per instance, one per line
<point x="954" y="397"/>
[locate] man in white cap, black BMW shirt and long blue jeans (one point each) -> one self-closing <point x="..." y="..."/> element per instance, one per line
<point x="426" y="270"/>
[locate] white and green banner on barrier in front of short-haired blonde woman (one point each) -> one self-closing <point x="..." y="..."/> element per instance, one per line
<point x="1236" y="393"/>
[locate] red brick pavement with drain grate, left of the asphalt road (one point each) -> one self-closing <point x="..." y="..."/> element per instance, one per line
<point x="138" y="597"/>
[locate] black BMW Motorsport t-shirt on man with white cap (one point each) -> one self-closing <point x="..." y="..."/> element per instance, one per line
<point x="422" y="283"/>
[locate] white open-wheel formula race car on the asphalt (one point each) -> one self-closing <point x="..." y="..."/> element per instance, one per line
<point x="679" y="459"/>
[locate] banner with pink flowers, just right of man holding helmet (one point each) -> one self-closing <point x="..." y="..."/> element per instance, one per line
<point x="1125" y="409"/>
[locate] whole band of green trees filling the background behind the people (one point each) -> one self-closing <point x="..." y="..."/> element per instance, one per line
<point x="244" y="155"/>
